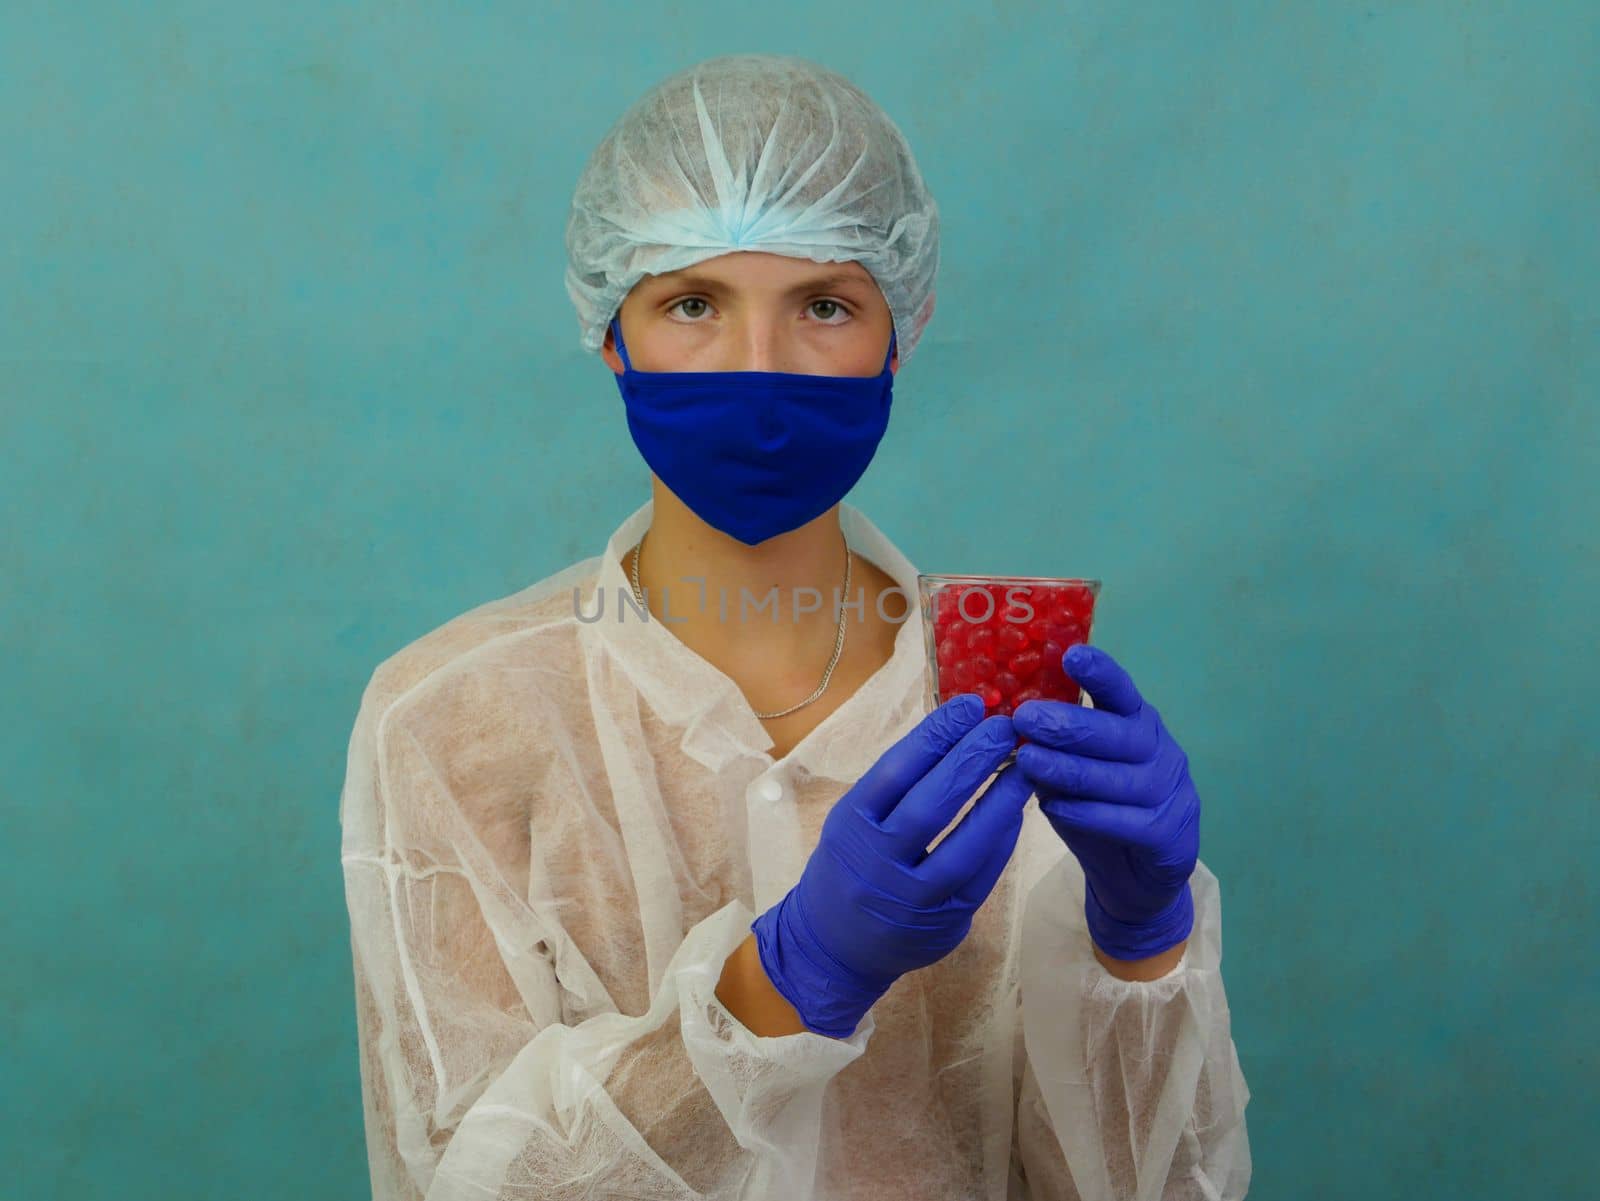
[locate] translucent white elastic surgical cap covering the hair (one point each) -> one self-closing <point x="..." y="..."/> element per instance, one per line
<point x="756" y="153"/>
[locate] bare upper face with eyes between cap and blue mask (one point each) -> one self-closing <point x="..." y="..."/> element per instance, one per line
<point x="751" y="311"/>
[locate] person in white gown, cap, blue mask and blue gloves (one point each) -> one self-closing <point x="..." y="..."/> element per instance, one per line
<point x="657" y="898"/>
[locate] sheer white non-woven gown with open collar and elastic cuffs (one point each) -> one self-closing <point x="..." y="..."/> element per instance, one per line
<point x="559" y="829"/>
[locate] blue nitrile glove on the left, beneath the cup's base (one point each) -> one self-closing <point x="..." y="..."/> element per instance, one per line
<point x="871" y="903"/>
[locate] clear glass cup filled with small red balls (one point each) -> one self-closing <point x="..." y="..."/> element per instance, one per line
<point x="1002" y="637"/>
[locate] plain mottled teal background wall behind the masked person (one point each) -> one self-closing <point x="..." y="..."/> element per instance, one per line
<point x="1279" y="319"/>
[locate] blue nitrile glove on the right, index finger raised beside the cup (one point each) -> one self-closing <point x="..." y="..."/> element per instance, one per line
<point x="1116" y="788"/>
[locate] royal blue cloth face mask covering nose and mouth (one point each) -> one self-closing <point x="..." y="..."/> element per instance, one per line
<point x="756" y="453"/>
